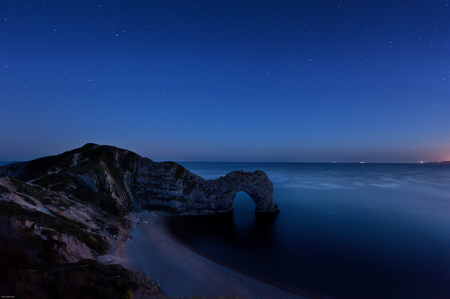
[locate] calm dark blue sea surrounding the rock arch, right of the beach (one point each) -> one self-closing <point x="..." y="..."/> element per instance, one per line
<point x="344" y="230"/>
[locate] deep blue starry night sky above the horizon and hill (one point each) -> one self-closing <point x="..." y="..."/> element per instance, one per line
<point x="279" y="81"/>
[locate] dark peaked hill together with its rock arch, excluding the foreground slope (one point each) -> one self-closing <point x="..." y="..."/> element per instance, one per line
<point x="120" y="181"/>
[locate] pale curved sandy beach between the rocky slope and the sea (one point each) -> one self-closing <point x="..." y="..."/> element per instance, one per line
<point x="182" y="272"/>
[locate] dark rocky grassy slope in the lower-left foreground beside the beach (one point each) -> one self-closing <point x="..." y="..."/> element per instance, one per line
<point x="49" y="245"/>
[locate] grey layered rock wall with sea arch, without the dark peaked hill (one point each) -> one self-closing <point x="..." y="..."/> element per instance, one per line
<point x="169" y="186"/>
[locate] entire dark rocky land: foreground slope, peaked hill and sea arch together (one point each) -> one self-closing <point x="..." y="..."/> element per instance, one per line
<point x="61" y="214"/>
